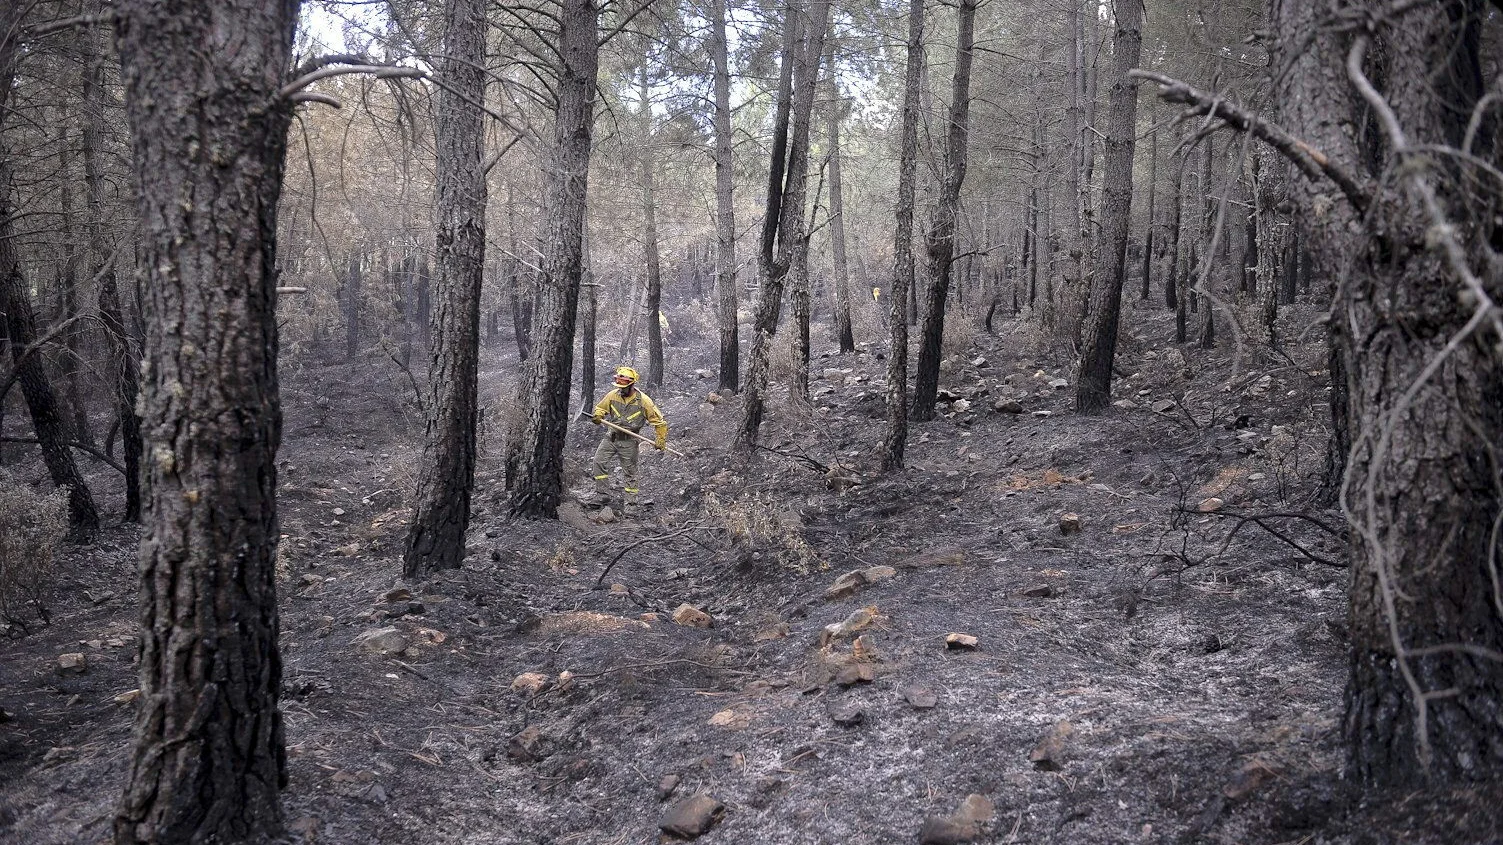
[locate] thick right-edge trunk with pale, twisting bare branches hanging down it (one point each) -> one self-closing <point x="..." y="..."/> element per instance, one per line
<point x="1424" y="492"/>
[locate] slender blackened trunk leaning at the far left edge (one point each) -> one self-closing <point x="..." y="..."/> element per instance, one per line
<point x="16" y="304"/>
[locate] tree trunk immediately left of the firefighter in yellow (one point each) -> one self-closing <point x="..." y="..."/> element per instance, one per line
<point x="546" y="387"/>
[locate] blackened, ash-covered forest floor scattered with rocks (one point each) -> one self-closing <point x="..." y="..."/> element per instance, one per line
<point x="1140" y="679"/>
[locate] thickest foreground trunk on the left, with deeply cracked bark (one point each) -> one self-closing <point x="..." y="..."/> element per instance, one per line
<point x="210" y="135"/>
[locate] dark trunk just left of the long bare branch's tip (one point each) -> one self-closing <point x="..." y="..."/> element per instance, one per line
<point x="1095" y="386"/>
